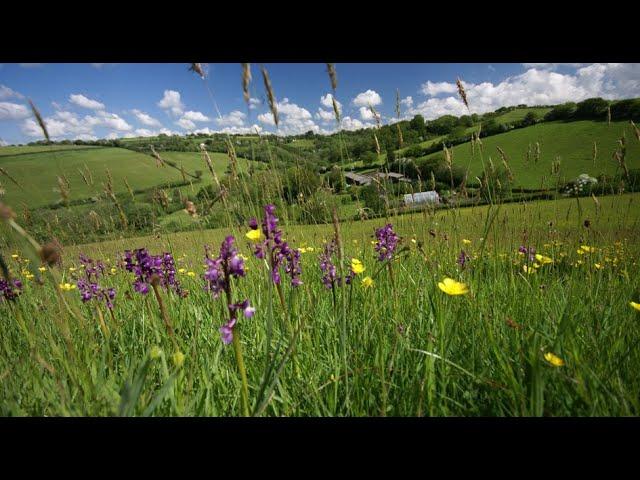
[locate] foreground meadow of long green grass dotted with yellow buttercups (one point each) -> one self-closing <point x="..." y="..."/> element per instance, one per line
<point x="560" y="340"/>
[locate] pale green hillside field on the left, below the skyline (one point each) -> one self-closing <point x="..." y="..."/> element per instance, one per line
<point x="37" y="172"/>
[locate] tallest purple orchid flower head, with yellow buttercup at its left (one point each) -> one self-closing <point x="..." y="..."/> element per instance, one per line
<point x="279" y="252"/>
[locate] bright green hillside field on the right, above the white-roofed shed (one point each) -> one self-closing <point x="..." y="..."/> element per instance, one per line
<point x="571" y="142"/>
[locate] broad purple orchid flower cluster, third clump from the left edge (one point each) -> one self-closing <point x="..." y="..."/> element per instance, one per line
<point x="145" y="266"/>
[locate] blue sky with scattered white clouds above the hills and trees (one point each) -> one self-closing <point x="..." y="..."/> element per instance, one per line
<point x="100" y="100"/>
